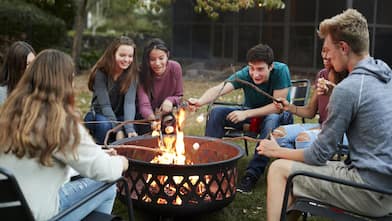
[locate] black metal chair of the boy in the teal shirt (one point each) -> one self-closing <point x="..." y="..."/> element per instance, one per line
<point x="299" y="94"/>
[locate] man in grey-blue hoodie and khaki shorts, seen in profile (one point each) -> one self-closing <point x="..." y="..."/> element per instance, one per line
<point x="360" y="106"/>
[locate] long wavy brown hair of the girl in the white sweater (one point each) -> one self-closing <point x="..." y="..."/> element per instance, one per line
<point x="38" y="118"/>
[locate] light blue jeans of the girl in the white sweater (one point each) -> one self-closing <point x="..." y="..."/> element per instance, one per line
<point x="74" y="191"/>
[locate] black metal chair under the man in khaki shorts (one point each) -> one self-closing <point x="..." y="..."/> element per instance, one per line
<point x="317" y="208"/>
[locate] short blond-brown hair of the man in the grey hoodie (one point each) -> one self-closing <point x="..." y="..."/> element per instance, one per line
<point x="350" y="27"/>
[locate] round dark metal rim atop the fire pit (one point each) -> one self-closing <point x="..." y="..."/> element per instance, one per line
<point x="240" y="154"/>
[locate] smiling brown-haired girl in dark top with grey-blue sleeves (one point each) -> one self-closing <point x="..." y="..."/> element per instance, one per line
<point x="113" y="81"/>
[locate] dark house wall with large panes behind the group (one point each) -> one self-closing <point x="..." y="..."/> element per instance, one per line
<point x="291" y="32"/>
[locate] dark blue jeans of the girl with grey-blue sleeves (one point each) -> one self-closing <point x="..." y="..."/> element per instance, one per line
<point x="99" y="130"/>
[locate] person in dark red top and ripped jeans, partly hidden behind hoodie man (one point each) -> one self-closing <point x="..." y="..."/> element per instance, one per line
<point x="302" y="135"/>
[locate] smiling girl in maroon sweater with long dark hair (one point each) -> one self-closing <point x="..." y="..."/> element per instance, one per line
<point x="161" y="85"/>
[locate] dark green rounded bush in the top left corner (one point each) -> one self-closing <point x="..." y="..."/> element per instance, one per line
<point x="22" y="21"/>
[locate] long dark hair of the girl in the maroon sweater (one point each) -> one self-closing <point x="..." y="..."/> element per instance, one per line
<point x="145" y="75"/>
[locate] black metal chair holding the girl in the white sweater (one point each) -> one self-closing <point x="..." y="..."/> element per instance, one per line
<point x="13" y="205"/>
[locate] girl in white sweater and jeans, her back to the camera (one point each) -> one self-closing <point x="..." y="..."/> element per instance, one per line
<point x="42" y="140"/>
